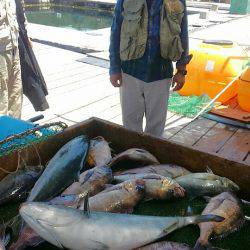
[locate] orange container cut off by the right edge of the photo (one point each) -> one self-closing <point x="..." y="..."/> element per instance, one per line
<point x="244" y="90"/>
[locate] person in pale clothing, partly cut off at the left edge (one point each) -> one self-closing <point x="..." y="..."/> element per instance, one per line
<point x="10" y="73"/>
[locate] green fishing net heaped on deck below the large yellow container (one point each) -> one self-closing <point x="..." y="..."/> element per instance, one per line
<point x="188" y="106"/>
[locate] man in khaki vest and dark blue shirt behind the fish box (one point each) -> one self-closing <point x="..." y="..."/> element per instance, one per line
<point x="146" y="37"/>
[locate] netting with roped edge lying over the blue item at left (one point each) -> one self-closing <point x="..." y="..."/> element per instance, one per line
<point x="30" y="137"/>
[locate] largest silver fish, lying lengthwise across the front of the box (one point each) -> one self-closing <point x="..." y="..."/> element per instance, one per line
<point x="73" y="229"/>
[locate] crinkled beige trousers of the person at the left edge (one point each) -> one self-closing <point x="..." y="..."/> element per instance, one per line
<point x="11" y="95"/>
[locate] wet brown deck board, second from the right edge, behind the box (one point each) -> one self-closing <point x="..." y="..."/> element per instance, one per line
<point x="215" y="138"/>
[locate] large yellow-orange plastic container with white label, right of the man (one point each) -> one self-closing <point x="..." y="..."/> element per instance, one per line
<point x="214" y="65"/>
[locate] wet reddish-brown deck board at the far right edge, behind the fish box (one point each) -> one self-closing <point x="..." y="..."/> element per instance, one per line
<point x="237" y="147"/>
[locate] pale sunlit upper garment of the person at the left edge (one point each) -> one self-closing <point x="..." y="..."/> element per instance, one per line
<point x="8" y="25"/>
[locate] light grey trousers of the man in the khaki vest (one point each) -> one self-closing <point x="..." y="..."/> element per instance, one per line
<point x="150" y="99"/>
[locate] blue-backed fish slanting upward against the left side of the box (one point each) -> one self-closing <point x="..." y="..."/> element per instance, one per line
<point x="62" y="170"/>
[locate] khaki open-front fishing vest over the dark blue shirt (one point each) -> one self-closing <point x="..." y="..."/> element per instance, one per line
<point x="134" y="29"/>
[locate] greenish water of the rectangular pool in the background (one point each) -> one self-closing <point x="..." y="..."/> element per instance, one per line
<point x="68" y="17"/>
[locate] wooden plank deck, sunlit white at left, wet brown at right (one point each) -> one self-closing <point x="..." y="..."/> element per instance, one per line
<point x="78" y="91"/>
